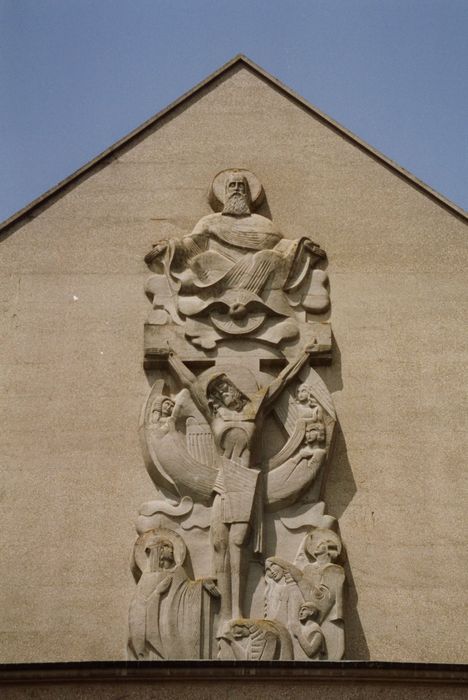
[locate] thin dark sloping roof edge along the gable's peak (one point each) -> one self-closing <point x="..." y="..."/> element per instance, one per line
<point x="27" y="211"/>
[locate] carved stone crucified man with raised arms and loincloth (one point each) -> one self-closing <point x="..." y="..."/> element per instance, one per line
<point x="235" y="419"/>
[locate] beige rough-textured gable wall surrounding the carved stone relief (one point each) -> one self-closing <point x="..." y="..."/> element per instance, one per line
<point x="72" y="381"/>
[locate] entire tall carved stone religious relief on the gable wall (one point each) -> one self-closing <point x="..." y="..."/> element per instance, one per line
<point x="235" y="557"/>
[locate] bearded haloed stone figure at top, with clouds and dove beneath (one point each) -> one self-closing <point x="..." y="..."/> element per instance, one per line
<point x="235" y="270"/>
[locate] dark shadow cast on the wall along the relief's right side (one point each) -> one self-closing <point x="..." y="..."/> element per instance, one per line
<point x="340" y="491"/>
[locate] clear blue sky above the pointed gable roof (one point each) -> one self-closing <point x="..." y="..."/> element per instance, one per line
<point x="77" y="75"/>
